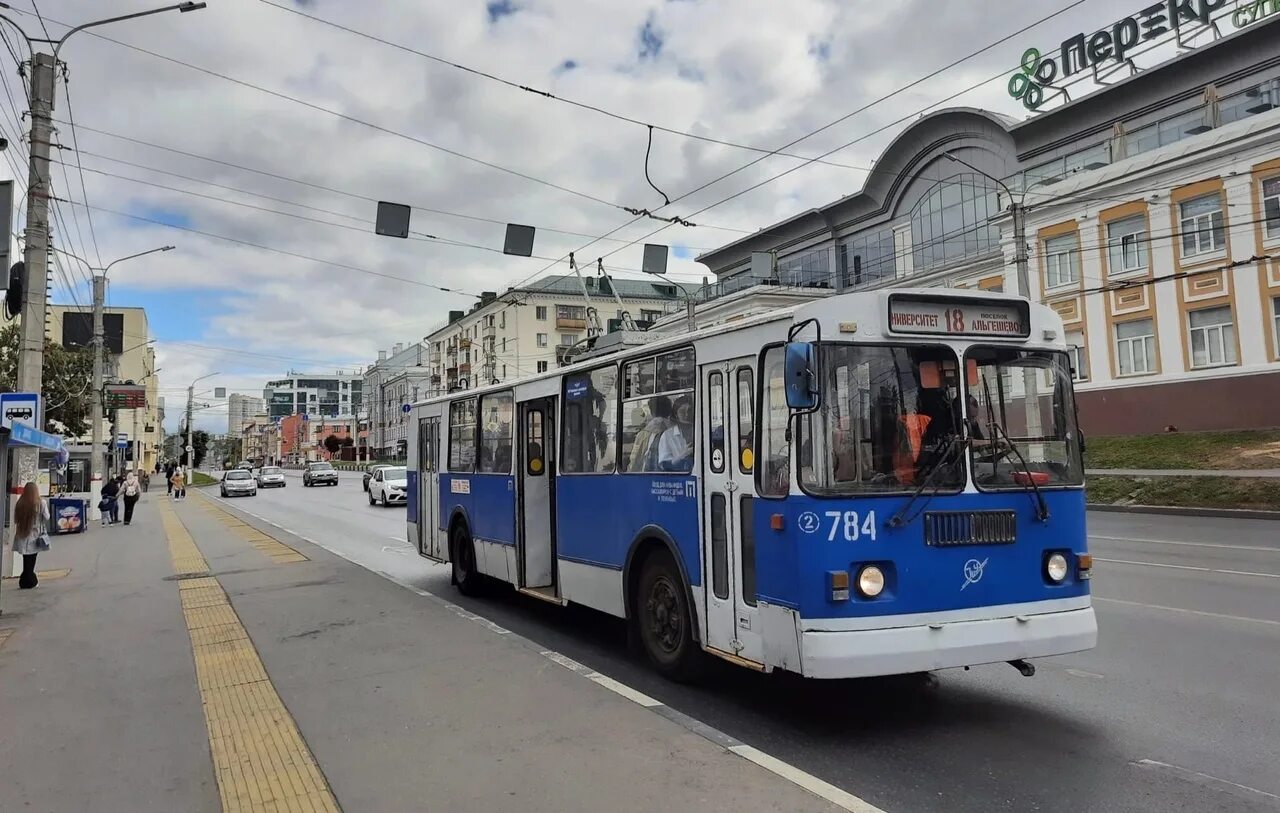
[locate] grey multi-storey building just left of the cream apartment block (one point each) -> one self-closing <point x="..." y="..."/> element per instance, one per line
<point x="397" y="378"/>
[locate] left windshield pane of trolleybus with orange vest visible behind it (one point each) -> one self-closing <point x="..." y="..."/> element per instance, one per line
<point x="890" y="421"/>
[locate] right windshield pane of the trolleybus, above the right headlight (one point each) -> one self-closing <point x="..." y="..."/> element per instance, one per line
<point x="1022" y="408"/>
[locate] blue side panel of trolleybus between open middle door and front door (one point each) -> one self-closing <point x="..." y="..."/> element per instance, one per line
<point x="600" y="517"/>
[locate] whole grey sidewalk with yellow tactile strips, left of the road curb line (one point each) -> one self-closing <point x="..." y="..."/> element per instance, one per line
<point x="318" y="669"/>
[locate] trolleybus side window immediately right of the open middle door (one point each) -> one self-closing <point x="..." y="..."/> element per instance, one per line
<point x="591" y="421"/>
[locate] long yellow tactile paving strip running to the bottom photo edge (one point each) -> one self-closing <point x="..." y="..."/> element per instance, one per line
<point x="260" y="759"/>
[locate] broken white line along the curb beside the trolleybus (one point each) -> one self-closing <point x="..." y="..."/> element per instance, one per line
<point x="826" y="791"/>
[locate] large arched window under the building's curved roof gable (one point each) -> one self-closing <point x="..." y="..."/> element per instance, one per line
<point x="953" y="222"/>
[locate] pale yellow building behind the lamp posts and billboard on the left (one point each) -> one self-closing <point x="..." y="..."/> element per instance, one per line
<point x="130" y="357"/>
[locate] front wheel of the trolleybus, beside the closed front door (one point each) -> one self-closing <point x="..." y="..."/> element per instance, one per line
<point x="665" y="622"/>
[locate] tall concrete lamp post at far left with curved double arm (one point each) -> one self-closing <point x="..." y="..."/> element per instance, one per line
<point x="43" y="90"/>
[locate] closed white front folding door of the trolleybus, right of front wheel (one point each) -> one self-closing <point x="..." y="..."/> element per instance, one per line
<point x="729" y="554"/>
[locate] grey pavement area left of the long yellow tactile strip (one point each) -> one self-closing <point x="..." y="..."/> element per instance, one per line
<point x="100" y="705"/>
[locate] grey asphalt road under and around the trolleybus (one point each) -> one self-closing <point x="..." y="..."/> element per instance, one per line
<point x="1177" y="709"/>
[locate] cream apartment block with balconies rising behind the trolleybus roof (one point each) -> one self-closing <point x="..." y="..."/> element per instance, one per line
<point x="527" y="331"/>
